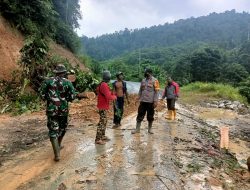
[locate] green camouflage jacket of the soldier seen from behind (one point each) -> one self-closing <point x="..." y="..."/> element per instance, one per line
<point x="57" y="91"/>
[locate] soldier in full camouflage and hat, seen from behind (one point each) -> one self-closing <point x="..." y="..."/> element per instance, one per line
<point x="57" y="91"/>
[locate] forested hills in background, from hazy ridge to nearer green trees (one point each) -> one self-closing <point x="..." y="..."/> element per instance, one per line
<point x="213" y="48"/>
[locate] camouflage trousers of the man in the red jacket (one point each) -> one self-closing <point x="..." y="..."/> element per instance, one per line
<point x="101" y="127"/>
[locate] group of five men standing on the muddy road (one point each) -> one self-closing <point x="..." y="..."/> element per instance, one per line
<point x="58" y="91"/>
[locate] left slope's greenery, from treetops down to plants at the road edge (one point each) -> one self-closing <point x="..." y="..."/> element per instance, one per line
<point x="40" y="22"/>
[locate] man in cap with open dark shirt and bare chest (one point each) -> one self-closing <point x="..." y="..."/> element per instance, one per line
<point x="120" y="89"/>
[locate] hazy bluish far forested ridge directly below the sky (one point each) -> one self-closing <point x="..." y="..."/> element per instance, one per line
<point x="228" y="30"/>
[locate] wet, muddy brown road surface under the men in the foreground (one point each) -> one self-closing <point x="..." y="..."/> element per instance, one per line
<point x="140" y="161"/>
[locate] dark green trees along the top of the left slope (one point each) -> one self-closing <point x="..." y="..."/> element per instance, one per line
<point x="48" y="18"/>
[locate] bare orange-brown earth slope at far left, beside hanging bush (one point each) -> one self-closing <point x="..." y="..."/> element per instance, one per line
<point x="11" y="41"/>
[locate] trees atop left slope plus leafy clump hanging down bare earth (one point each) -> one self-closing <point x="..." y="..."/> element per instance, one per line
<point x="41" y="21"/>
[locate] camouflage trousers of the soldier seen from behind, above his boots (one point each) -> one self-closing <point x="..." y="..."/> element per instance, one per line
<point x="57" y="126"/>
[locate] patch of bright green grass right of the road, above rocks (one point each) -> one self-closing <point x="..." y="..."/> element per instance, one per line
<point x="197" y="92"/>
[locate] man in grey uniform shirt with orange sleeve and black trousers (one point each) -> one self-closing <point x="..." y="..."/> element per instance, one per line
<point x="148" y="97"/>
